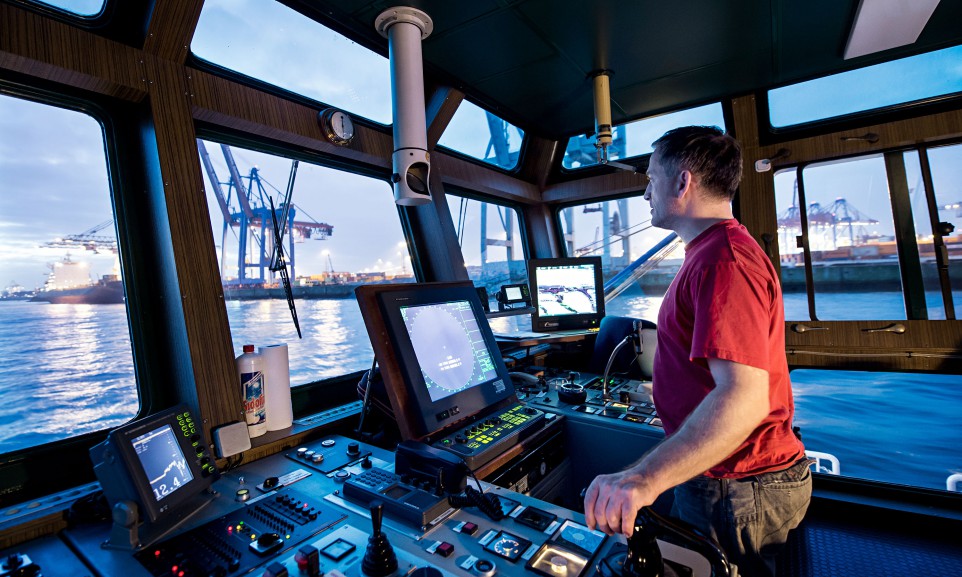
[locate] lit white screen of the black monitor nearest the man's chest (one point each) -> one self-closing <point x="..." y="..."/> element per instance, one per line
<point x="566" y="290"/>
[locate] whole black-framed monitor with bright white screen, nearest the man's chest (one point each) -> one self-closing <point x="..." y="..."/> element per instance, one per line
<point x="567" y="293"/>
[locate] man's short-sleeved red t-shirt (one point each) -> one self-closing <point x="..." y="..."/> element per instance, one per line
<point x="726" y="303"/>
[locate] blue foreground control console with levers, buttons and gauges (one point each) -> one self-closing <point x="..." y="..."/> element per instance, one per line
<point x="343" y="514"/>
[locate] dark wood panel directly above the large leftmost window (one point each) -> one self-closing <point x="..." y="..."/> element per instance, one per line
<point x="54" y="51"/>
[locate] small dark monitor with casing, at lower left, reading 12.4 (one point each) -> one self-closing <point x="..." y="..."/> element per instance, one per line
<point x="160" y="462"/>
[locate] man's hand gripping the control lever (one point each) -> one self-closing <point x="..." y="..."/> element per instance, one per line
<point x="612" y="501"/>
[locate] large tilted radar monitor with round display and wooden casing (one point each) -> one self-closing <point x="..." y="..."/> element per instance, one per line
<point x="437" y="356"/>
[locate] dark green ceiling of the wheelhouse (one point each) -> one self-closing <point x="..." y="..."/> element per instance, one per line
<point x="529" y="60"/>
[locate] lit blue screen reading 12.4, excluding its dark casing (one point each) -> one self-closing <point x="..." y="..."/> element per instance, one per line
<point x="163" y="461"/>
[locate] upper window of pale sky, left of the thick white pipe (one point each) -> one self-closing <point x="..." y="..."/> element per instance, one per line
<point x="277" y="45"/>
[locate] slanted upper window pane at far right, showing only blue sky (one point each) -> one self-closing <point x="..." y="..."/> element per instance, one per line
<point x="912" y="80"/>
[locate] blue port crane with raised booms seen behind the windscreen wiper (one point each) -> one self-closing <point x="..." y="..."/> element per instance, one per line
<point x="255" y="219"/>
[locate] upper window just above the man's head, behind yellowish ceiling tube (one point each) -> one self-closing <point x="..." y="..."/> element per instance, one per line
<point x="634" y="138"/>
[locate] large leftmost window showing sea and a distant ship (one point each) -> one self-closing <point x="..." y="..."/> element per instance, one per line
<point x="68" y="368"/>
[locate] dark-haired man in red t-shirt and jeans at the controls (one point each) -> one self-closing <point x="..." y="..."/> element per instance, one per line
<point x="720" y="380"/>
